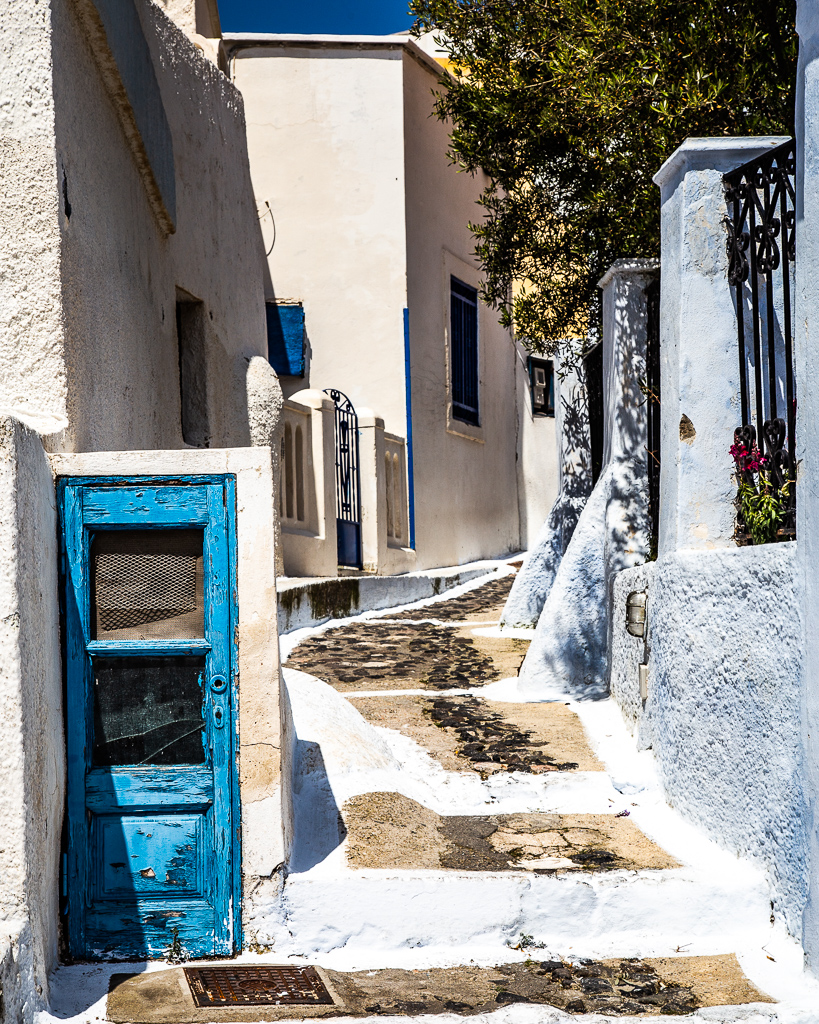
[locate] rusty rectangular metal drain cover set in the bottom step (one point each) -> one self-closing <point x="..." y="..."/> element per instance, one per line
<point x="256" y="987"/>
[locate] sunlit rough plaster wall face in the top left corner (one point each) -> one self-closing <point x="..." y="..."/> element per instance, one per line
<point x="33" y="378"/>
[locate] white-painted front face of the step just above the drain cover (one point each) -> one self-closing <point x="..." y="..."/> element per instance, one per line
<point x="375" y="915"/>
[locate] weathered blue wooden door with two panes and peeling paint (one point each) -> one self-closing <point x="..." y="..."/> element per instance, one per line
<point x="153" y="824"/>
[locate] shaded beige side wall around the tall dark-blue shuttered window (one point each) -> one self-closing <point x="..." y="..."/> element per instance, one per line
<point x="465" y="478"/>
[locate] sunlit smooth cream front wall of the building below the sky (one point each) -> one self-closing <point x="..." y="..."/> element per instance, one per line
<point x="326" y="142"/>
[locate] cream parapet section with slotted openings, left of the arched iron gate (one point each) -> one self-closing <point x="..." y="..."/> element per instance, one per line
<point x="307" y="486"/>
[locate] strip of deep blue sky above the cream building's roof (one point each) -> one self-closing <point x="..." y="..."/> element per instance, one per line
<point x="336" y="17"/>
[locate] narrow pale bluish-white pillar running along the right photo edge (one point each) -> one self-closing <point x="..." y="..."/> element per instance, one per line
<point x="806" y="359"/>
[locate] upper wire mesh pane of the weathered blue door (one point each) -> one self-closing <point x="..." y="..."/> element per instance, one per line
<point x="148" y="585"/>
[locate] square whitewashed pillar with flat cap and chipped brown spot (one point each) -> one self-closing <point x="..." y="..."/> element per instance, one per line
<point x="699" y="347"/>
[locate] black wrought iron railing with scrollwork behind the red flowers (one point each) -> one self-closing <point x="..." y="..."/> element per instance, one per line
<point x="761" y="252"/>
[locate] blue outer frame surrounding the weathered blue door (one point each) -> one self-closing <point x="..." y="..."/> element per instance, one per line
<point x="228" y="484"/>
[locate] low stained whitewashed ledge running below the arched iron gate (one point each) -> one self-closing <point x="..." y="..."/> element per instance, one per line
<point x="309" y="603"/>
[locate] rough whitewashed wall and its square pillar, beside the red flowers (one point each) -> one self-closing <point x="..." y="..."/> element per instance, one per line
<point x="724" y="644"/>
